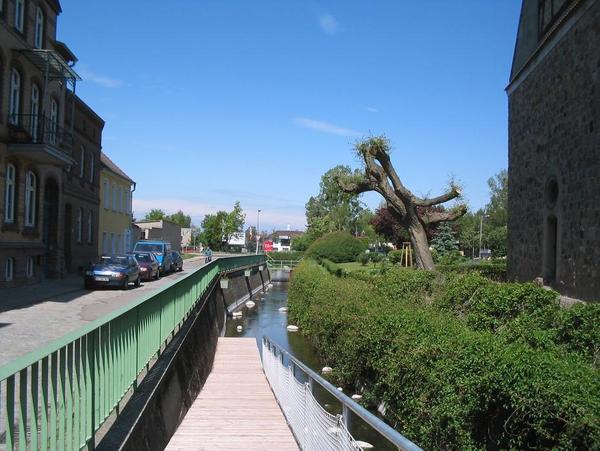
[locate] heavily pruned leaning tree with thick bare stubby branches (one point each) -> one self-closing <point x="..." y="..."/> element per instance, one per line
<point x="379" y="175"/>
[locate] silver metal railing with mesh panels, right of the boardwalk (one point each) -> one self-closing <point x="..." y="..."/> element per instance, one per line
<point x="314" y="427"/>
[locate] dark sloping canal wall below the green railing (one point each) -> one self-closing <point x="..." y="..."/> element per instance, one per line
<point x="159" y="405"/>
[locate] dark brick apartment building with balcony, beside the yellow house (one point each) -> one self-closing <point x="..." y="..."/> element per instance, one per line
<point x="40" y="148"/>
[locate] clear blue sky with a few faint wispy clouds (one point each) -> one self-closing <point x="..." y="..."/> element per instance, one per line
<point x="209" y="102"/>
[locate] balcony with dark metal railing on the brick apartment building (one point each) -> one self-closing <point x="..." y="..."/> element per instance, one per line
<point x="40" y="138"/>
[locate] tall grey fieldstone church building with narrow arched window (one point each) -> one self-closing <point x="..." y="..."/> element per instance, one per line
<point x="554" y="147"/>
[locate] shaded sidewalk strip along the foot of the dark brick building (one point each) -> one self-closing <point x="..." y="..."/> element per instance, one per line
<point x="18" y="297"/>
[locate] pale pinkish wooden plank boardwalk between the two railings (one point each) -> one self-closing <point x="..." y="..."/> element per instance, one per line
<point x="236" y="409"/>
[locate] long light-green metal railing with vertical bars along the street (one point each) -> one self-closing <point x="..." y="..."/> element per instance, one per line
<point x="57" y="397"/>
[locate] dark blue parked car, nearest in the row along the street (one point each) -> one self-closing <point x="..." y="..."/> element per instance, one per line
<point x="113" y="271"/>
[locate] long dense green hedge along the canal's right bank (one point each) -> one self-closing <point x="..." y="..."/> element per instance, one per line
<point x="447" y="383"/>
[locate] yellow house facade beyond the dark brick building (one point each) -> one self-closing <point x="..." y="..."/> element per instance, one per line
<point x="115" y="218"/>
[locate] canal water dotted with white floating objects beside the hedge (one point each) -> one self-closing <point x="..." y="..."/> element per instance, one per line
<point x="266" y="319"/>
